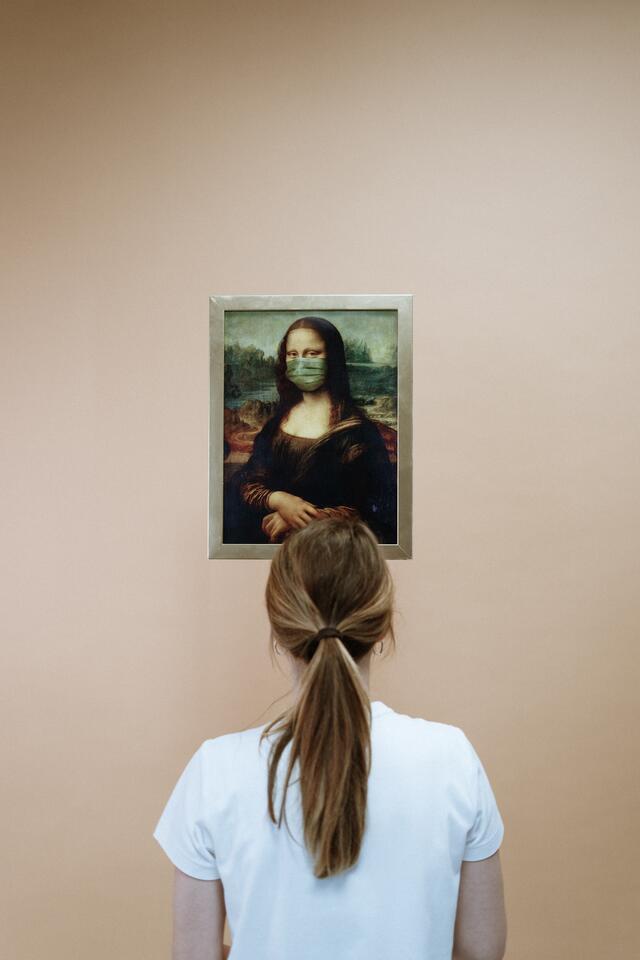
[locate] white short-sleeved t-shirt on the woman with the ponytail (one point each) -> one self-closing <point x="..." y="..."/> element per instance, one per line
<point x="429" y="806"/>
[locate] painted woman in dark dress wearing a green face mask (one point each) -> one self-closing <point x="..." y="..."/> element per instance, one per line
<point x="318" y="455"/>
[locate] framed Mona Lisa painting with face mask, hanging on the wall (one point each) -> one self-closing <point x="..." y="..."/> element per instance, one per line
<point x="309" y="417"/>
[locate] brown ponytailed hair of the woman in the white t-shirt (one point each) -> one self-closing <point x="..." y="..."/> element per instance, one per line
<point x="328" y="573"/>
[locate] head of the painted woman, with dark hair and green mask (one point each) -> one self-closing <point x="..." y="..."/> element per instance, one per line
<point x="311" y="356"/>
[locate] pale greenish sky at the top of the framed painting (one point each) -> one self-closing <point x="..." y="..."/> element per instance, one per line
<point x="265" y="328"/>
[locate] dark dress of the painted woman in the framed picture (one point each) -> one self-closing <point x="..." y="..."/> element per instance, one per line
<point x="345" y="471"/>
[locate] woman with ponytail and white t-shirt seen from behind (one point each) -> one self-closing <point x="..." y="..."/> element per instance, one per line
<point x="391" y="846"/>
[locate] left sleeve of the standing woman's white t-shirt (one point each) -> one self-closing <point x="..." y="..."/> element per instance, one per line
<point x="184" y="828"/>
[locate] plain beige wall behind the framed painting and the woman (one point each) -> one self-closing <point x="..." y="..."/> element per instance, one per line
<point x="483" y="157"/>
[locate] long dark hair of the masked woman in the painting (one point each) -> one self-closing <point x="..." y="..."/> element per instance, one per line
<point x="337" y="382"/>
